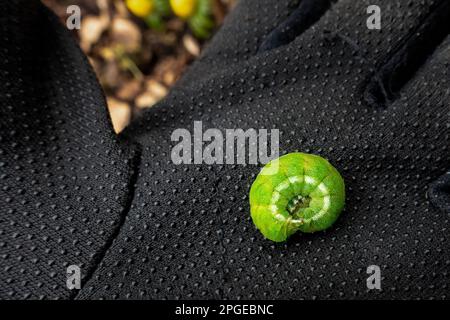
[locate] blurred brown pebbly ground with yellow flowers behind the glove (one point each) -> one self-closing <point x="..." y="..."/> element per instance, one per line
<point x="140" y="48"/>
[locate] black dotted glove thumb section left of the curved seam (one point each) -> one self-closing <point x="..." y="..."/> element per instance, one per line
<point x="64" y="179"/>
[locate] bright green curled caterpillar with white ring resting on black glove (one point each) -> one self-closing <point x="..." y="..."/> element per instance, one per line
<point x="296" y="192"/>
